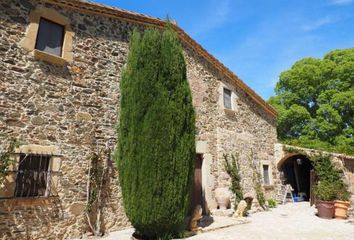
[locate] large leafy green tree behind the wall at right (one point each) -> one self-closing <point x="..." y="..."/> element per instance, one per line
<point x="315" y="102"/>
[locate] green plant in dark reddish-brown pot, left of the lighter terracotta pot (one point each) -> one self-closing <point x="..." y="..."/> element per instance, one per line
<point x="326" y="193"/>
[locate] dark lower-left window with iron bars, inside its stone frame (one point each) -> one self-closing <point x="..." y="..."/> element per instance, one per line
<point x="33" y="176"/>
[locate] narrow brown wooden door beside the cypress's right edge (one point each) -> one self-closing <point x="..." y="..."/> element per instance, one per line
<point x="197" y="196"/>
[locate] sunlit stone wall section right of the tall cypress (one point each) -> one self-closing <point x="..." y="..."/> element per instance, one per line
<point x="247" y="128"/>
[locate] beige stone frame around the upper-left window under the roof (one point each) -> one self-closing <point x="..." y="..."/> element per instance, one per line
<point x="29" y="41"/>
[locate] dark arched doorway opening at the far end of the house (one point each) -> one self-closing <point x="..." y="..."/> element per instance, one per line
<point x="296" y="171"/>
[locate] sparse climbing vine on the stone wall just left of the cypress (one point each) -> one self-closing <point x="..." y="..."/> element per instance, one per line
<point x="98" y="177"/>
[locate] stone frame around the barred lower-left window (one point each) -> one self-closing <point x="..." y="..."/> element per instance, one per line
<point x="8" y="190"/>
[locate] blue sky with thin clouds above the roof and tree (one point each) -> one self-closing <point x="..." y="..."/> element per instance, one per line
<point x="258" y="39"/>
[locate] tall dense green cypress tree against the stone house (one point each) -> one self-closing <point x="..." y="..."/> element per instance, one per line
<point x="156" y="133"/>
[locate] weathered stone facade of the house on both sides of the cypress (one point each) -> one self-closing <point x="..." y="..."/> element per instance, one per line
<point x="74" y="107"/>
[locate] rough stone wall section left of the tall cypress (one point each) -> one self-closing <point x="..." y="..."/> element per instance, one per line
<point x="73" y="107"/>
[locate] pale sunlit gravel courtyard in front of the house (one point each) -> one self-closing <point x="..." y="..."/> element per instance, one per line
<point x="292" y="221"/>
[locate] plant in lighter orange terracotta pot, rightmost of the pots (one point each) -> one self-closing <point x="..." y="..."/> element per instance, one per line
<point x="341" y="204"/>
